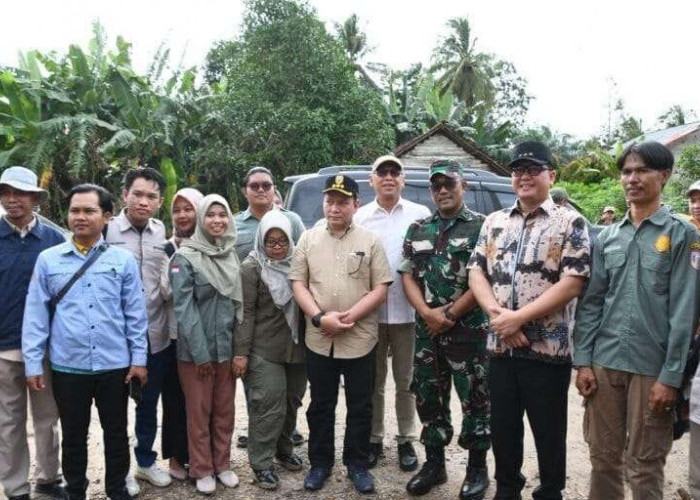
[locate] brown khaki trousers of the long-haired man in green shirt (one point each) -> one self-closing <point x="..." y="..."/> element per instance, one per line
<point x="617" y="417"/>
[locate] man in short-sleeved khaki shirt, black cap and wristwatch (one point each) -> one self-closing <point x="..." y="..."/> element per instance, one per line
<point x="340" y="276"/>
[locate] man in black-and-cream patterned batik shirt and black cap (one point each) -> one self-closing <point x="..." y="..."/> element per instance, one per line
<point x="531" y="261"/>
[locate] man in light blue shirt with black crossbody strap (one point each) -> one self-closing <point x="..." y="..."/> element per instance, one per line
<point x="96" y="339"/>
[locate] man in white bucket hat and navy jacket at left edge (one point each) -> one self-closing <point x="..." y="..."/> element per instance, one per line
<point x="22" y="237"/>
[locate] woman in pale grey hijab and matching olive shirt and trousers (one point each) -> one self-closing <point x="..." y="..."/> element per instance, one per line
<point x="269" y="351"/>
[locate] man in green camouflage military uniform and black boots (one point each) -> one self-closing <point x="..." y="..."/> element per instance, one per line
<point x="450" y="333"/>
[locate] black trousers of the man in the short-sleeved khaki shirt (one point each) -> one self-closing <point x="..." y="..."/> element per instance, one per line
<point x="324" y="379"/>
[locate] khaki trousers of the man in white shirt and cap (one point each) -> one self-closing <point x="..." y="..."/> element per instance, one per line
<point x="401" y="340"/>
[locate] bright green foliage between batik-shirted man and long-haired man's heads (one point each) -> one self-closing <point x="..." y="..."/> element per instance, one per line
<point x="592" y="197"/>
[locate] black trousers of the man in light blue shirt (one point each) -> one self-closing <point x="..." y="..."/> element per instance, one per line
<point x="74" y="394"/>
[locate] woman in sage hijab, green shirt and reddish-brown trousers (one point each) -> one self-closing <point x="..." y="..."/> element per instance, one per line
<point x="207" y="295"/>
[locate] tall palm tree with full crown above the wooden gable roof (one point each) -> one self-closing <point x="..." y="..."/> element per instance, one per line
<point x="467" y="73"/>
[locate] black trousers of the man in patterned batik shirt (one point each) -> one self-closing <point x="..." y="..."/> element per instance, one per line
<point x="539" y="389"/>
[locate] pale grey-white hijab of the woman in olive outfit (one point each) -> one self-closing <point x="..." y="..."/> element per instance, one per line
<point x="274" y="272"/>
